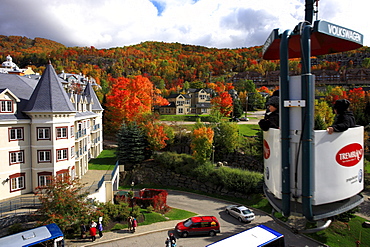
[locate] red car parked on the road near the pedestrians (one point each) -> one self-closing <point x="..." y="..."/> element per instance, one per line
<point x="198" y="225"/>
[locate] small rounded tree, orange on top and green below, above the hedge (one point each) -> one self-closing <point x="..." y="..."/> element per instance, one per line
<point x="201" y="143"/>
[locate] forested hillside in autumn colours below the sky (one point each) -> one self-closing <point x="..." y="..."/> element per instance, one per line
<point x="167" y="65"/>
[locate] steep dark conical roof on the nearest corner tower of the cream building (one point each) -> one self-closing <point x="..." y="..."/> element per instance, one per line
<point x="49" y="95"/>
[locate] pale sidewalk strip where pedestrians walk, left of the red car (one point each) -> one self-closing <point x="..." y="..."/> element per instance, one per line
<point x="121" y="234"/>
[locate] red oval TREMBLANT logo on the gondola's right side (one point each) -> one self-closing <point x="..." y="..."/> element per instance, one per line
<point x="350" y="155"/>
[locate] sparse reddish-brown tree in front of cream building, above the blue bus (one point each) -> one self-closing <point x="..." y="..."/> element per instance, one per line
<point x="63" y="202"/>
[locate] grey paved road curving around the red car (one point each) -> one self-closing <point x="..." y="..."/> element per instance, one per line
<point x="204" y="205"/>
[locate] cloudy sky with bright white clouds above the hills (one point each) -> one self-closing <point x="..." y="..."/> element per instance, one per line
<point x="209" y="23"/>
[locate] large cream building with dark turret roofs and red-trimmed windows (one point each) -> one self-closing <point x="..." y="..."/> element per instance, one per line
<point x="45" y="131"/>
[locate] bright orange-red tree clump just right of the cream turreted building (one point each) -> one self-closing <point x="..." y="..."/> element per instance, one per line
<point x="132" y="100"/>
